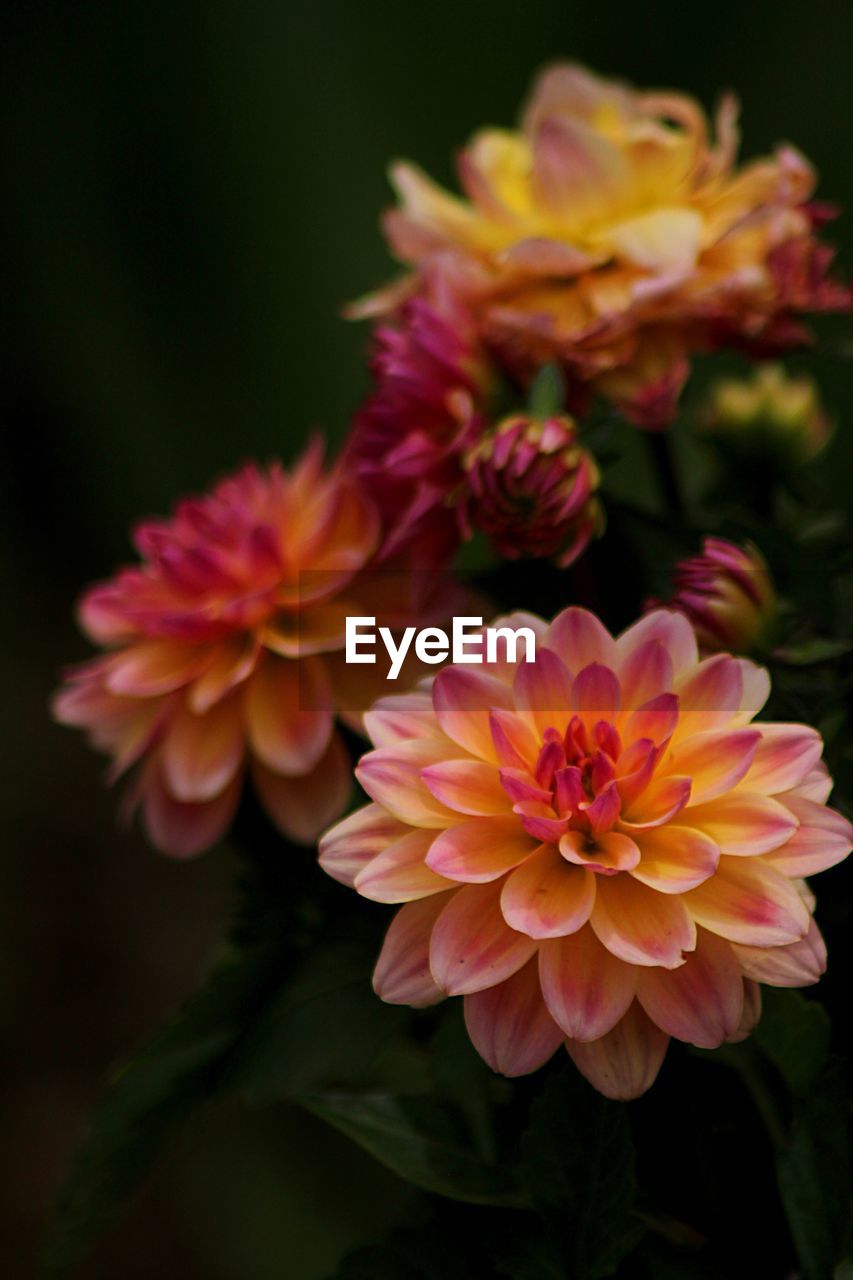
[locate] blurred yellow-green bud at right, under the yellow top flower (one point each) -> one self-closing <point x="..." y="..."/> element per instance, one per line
<point x="770" y="414"/>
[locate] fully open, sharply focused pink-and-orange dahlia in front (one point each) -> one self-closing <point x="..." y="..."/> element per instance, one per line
<point x="597" y="848"/>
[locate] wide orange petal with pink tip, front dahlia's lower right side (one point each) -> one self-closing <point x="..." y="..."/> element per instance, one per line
<point x="750" y="903"/>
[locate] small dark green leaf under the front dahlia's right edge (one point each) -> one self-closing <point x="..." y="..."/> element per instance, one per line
<point x="795" y="1034"/>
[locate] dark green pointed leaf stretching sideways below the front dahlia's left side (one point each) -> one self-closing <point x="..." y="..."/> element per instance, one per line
<point x="418" y="1139"/>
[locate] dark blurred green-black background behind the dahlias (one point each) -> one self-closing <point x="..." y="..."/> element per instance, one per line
<point x="193" y="193"/>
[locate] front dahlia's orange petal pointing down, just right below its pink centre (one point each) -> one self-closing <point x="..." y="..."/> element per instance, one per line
<point x="640" y="926"/>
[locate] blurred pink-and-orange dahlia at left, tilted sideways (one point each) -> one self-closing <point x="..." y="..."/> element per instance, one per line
<point x="221" y="655"/>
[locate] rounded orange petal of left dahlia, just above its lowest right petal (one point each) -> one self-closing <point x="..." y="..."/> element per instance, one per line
<point x="289" y="714"/>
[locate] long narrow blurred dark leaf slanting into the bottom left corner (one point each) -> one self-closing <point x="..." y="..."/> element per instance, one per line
<point x="184" y="1066"/>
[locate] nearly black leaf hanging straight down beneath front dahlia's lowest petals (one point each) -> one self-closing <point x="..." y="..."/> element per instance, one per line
<point x="580" y="1173"/>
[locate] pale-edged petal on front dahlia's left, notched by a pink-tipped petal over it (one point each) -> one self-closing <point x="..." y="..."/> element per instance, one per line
<point x="393" y="778"/>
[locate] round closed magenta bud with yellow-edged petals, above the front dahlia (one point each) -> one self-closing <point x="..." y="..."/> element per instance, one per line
<point x="531" y="486"/>
